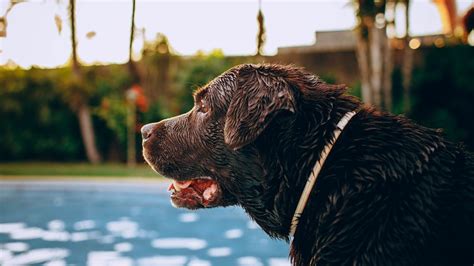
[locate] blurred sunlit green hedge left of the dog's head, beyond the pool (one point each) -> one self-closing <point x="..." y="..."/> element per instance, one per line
<point x="37" y="121"/>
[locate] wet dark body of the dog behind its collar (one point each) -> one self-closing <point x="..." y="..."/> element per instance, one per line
<point x="403" y="194"/>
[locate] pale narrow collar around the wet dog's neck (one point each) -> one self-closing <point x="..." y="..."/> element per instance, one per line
<point x="315" y="172"/>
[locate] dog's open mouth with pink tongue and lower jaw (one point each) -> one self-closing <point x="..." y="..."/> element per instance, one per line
<point x="201" y="192"/>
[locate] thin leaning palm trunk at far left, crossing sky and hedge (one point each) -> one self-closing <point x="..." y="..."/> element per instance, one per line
<point x="82" y="110"/>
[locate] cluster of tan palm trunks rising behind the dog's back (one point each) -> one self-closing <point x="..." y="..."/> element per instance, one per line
<point x="375" y="52"/>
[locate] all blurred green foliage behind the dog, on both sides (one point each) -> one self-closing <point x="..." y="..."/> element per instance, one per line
<point x="37" y="122"/>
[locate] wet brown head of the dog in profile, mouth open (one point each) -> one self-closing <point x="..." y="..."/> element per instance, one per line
<point x="213" y="152"/>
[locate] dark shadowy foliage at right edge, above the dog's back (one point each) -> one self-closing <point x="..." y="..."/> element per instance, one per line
<point x="443" y="92"/>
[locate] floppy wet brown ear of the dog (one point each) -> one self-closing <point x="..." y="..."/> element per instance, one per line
<point x="259" y="96"/>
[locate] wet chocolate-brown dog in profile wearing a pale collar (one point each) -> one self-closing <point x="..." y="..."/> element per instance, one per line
<point x="388" y="191"/>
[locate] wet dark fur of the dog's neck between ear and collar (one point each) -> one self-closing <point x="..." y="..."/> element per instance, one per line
<point x="289" y="153"/>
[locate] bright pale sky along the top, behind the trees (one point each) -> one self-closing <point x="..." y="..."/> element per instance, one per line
<point x="190" y="25"/>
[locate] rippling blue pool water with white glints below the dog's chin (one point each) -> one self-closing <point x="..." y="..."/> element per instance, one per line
<point x="127" y="223"/>
